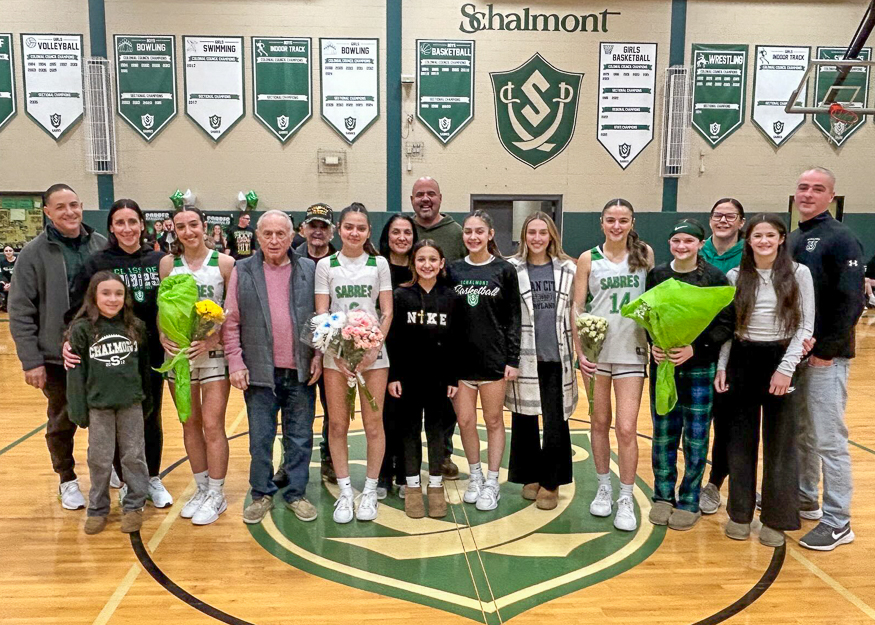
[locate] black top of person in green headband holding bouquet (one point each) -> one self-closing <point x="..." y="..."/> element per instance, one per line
<point x="706" y="348"/>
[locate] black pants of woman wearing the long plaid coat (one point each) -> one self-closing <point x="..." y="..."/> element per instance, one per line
<point x="550" y="465"/>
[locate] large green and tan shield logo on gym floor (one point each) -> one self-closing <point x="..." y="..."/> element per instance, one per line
<point x="499" y="563"/>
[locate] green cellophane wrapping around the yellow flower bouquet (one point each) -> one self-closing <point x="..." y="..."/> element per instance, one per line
<point x="177" y="296"/>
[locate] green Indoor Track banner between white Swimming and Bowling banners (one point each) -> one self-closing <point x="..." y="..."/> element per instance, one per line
<point x="282" y="86"/>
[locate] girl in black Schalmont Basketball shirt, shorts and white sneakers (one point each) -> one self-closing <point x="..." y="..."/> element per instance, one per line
<point x="489" y="345"/>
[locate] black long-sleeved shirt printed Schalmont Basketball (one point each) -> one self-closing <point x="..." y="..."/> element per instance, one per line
<point x="490" y="323"/>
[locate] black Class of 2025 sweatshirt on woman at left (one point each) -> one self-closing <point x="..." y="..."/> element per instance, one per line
<point x="140" y="273"/>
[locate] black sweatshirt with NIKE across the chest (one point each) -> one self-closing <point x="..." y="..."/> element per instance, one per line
<point x="420" y="341"/>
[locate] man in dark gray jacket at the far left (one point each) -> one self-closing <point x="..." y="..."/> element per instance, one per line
<point x="38" y="298"/>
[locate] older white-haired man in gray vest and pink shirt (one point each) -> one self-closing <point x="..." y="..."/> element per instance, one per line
<point x="270" y="300"/>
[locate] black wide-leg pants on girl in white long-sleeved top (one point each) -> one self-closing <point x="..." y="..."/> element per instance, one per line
<point x="749" y="372"/>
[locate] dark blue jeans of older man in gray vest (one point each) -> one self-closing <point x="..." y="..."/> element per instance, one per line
<point x="297" y="403"/>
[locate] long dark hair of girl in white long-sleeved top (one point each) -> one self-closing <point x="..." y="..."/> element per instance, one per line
<point x="783" y="278"/>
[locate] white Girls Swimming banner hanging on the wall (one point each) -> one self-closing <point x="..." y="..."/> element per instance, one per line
<point x="214" y="83"/>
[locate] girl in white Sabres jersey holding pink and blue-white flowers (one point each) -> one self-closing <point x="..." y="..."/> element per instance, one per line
<point x="356" y="277"/>
